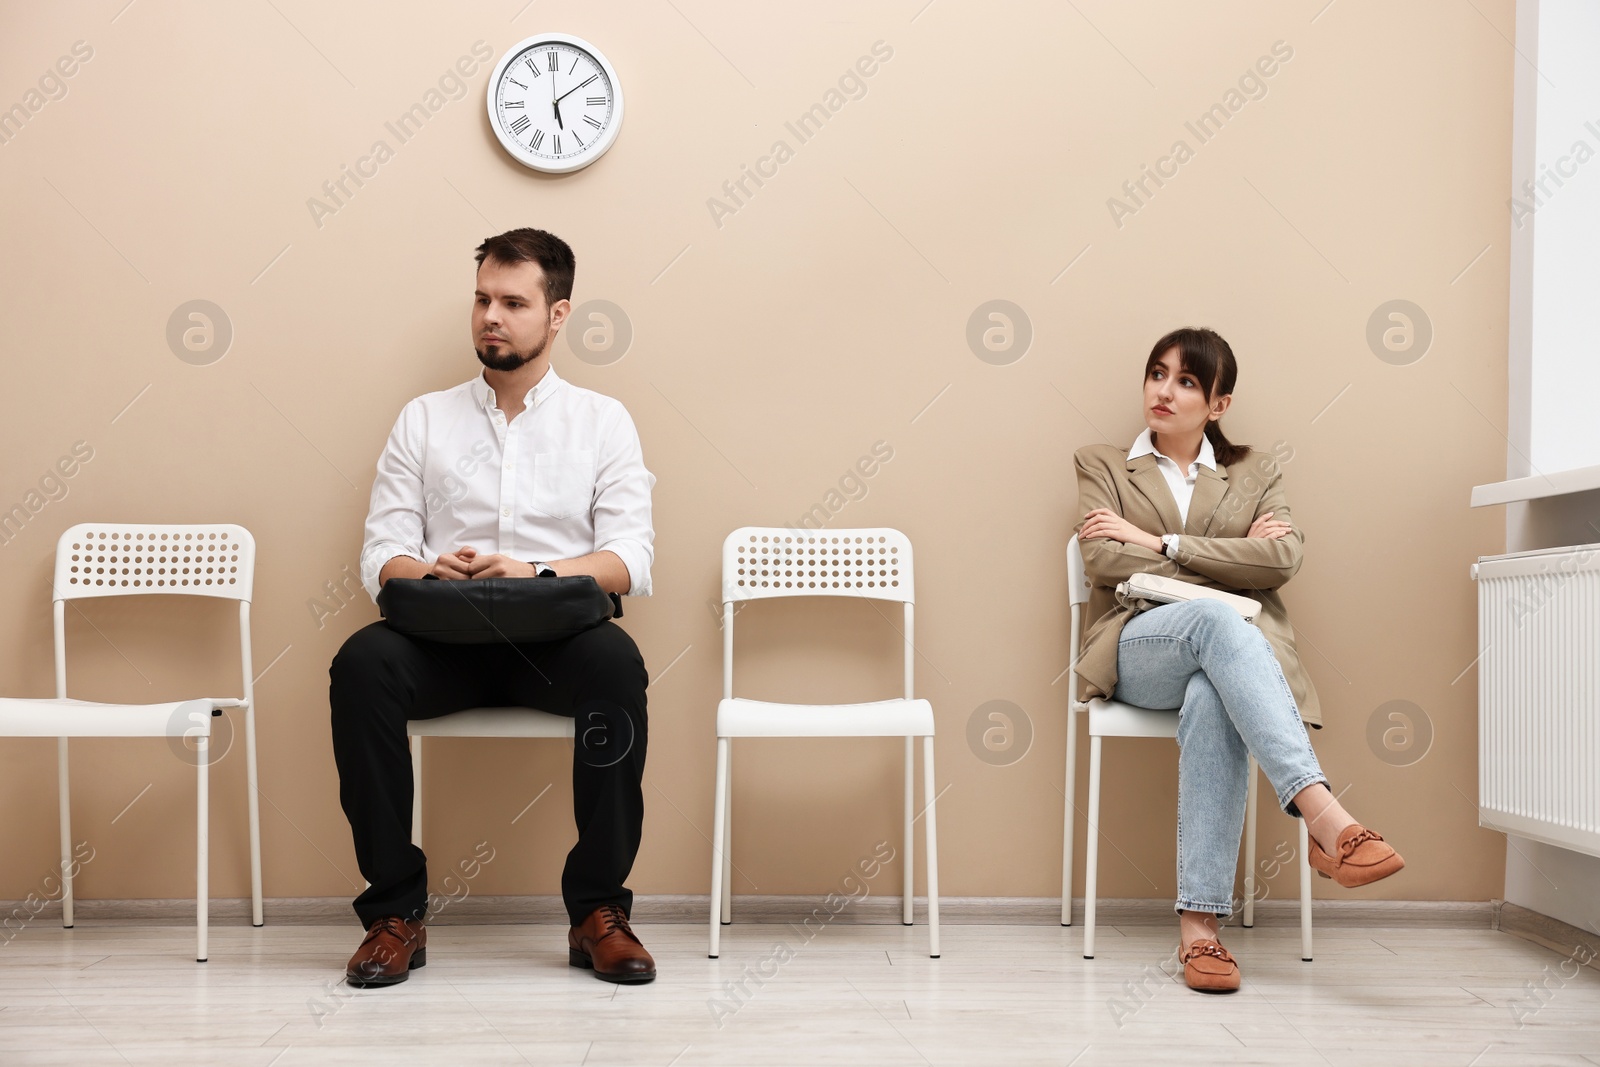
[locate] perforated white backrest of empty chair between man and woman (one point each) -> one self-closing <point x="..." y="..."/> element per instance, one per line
<point x="762" y="562"/>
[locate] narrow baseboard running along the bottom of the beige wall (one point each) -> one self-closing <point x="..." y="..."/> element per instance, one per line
<point x="478" y="911"/>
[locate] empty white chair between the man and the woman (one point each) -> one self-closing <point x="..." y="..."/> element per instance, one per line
<point x="764" y="562"/>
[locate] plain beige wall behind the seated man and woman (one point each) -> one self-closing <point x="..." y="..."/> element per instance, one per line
<point x="770" y="353"/>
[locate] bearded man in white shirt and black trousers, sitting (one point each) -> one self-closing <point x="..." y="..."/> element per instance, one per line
<point x="514" y="474"/>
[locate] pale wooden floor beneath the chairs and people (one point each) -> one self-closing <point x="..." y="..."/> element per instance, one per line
<point x="113" y="993"/>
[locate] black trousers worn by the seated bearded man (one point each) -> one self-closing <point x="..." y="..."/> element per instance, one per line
<point x="382" y="679"/>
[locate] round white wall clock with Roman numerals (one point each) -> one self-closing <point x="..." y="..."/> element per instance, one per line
<point x="556" y="103"/>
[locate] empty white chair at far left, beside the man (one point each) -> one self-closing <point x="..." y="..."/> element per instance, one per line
<point x="137" y="561"/>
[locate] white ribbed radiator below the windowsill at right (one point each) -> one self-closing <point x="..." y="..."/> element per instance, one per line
<point x="1540" y="695"/>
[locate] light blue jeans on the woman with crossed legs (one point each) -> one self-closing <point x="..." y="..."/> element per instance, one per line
<point x="1223" y="676"/>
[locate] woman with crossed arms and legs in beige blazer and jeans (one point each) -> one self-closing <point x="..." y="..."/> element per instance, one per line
<point x="1186" y="503"/>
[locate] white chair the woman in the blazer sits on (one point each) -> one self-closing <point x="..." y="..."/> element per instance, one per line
<point x="1114" y="719"/>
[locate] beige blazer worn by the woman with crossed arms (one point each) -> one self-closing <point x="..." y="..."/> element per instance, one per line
<point x="1214" y="551"/>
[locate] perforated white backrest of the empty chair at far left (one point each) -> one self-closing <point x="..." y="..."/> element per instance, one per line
<point x="140" y="559"/>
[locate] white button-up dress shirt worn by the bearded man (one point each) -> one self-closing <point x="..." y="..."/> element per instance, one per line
<point x="564" y="479"/>
